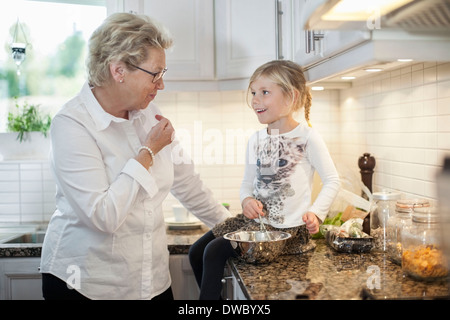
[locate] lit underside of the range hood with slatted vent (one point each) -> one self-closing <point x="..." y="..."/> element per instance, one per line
<point x="414" y="16"/>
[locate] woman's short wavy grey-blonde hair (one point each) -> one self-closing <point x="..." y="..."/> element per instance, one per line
<point x="122" y="37"/>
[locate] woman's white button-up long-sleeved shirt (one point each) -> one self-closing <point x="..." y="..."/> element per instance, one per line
<point x="107" y="236"/>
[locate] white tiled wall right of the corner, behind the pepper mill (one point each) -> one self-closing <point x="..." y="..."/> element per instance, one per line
<point x="402" y="117"/>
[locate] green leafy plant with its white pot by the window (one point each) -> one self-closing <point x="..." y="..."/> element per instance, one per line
<point x="28" y="134"/>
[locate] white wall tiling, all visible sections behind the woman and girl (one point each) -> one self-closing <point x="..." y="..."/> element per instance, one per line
<point x="401" y="117"/>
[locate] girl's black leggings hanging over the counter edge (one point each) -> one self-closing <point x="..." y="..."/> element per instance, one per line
<point x="208" y="256"/>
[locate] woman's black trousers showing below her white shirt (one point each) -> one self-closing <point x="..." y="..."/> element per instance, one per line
<point x="54" y="288"/>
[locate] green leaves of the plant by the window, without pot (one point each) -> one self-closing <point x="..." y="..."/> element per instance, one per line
<point x="27" y="119"/>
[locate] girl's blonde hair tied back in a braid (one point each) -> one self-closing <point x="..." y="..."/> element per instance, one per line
<point x="289" y="76"/>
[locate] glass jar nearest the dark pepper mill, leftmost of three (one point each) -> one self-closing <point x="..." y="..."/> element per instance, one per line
<point x="385" y="202"/>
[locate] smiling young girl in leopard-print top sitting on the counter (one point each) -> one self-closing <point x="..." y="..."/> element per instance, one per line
<point x="280" y="164"/>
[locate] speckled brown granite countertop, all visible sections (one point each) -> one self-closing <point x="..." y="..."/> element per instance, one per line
<point x="321" y="274"/>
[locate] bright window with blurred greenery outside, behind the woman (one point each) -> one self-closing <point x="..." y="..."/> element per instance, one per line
<point x="56" y="33"/>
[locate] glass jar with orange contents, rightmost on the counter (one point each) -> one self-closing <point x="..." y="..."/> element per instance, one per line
<point x="422" y="255"/>
